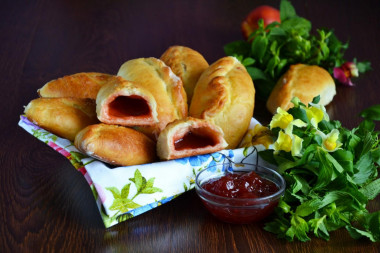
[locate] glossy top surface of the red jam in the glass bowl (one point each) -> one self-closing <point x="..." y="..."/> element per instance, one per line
<point x="245" y="186"/>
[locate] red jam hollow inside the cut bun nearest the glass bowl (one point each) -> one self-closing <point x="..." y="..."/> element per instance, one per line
<point x="192" y="140"/>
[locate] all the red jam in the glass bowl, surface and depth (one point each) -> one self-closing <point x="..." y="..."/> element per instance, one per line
<point x="246" y="186"/>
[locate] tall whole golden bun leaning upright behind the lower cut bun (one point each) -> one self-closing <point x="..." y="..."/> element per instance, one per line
<point x="225" y="95"/>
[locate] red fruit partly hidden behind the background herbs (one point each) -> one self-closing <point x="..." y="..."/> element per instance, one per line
<point x="265" y="12"/>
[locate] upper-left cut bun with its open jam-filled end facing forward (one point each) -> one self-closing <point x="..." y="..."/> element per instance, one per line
<point x="123" y="102"/>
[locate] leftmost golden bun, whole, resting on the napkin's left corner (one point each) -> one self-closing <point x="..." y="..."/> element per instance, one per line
<point x="64" y="117"/>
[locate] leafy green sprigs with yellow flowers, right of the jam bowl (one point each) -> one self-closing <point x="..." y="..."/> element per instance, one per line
<point x="331" y="177"/>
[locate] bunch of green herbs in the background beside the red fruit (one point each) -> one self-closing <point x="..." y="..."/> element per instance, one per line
<point x="269" y="51"/>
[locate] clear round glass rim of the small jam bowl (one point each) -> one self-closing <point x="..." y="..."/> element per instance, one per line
<point x="255" y="201"/>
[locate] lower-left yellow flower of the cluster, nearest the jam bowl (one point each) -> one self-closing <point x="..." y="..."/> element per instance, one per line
<point x="288" y="143"/>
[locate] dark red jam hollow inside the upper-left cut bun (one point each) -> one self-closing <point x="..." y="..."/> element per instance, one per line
<point x="128" y="106"/>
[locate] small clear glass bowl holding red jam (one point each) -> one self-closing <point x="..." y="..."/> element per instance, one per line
<point x="239" y="210"/>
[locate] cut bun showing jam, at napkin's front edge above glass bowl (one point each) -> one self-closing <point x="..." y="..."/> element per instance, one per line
<point x="189" y="137"/>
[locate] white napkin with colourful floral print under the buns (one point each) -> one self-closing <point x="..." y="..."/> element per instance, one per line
<point x="124" y="192"/>
